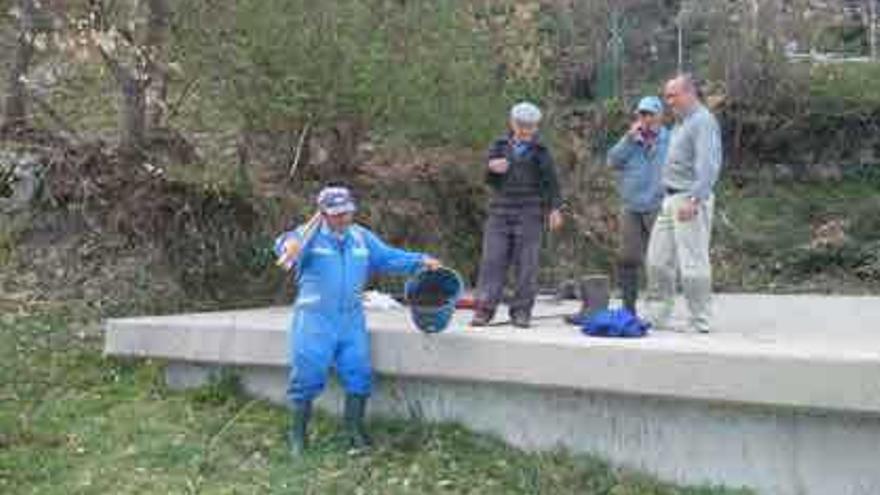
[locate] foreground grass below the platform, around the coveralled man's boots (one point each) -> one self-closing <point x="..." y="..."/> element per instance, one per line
<point x="73" y="421"/>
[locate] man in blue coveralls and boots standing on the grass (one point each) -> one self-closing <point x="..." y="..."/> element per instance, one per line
<point x="333" y="258"/>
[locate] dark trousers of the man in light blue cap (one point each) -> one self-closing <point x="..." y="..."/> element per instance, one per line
<point x="635" y="232"/>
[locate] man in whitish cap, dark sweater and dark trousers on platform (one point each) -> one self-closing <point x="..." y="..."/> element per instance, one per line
<point x="525" y="192"/>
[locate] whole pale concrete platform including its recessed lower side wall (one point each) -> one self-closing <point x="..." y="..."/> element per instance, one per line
<point x="784" y="397"/>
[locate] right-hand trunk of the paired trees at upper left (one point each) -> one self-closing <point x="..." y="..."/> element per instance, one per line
<point x="156" y="44"/>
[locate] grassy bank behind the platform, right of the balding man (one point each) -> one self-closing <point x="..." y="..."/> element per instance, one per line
<point x="762" y="237"/>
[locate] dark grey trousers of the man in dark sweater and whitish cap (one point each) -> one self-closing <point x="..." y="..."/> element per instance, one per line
<point x="511" y="237"/>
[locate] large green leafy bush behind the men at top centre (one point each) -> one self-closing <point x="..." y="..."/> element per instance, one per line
<point x="421" y="70"/>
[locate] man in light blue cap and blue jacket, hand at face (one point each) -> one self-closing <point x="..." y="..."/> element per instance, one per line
<point x="638" y="158"/>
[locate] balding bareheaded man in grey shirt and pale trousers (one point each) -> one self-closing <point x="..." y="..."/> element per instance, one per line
<point x="680" y="238"/>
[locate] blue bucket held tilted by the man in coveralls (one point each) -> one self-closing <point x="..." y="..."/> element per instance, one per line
<point x="431" y="296"/>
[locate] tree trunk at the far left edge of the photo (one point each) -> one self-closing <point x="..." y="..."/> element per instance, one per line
<point x="16" y="108"/>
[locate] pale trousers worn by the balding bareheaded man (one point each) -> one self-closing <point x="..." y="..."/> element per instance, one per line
<point x="681" y="247"/>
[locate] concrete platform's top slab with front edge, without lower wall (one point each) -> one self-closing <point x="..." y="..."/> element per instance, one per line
<point x="795" y="351"/>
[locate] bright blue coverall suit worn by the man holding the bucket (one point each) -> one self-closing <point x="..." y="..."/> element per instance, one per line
<point x="328" y="323"/>
